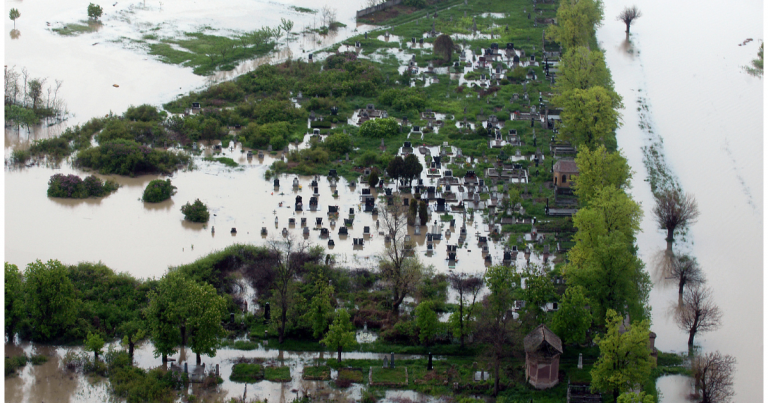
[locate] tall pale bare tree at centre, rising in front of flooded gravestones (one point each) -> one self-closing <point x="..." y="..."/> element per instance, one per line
<point x="398" y="268"/>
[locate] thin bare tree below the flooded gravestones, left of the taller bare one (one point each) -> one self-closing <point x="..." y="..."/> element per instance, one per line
<point x="286" y="275"/>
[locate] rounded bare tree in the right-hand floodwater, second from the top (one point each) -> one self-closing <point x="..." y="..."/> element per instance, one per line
<point x="675" y="210"/>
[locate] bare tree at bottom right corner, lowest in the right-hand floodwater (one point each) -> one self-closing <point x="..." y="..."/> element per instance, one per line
<point x="713" y="373"/>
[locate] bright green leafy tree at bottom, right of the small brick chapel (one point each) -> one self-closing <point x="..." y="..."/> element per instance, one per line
<point x="625" y="358"/>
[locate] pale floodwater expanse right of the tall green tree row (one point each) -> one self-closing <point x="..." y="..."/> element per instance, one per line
<point x="709" y="113"/>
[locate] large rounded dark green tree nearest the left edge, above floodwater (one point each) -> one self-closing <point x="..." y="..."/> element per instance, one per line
<point x="50" y="299"/>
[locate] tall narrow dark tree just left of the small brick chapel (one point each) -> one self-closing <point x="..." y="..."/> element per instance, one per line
<point x="496" y="325"/>
